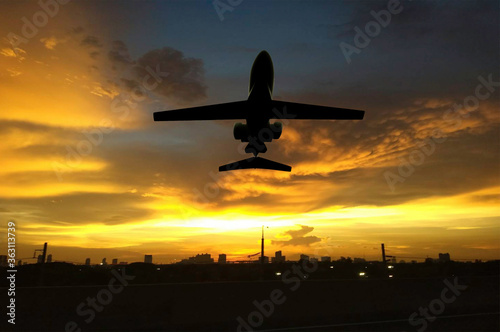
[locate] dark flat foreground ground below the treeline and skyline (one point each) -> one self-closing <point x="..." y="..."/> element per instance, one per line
<point x="315" y="305"/>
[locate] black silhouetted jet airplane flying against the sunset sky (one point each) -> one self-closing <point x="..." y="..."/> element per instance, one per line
<point x="257" y="110"/>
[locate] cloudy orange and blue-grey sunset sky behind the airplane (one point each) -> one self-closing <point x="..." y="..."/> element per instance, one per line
<point x="85" y="168"/>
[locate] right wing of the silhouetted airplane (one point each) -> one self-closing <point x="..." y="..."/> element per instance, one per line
<point x="288" y="110"/>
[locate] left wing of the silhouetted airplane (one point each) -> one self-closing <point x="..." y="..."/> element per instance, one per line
<point x="228" y="111"/>
